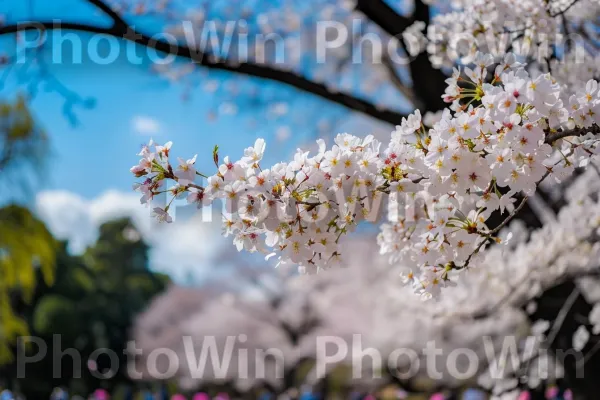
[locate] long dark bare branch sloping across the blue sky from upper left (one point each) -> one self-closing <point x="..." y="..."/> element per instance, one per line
<point x="120" y="29"/>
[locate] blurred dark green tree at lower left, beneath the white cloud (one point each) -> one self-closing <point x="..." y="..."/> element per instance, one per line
<point x="90" y="307"/>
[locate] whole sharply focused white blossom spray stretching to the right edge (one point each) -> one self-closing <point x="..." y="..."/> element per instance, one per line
<point x="503" y="134"/>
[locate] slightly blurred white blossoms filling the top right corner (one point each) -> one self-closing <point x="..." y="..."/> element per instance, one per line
<point x="530" y="28"/>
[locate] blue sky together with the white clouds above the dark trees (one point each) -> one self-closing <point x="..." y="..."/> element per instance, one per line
<point x="118" y="107"/>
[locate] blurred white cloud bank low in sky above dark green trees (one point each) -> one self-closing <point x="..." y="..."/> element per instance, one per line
<point x="188" y="244"/>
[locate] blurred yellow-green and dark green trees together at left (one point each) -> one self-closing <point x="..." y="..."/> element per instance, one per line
<point x="89" y="300"/>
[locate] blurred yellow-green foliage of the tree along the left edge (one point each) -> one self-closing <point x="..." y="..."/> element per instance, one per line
<point x="25" y="243"/>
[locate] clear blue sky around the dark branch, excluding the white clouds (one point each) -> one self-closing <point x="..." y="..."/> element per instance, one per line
<point x="94" y="153"/>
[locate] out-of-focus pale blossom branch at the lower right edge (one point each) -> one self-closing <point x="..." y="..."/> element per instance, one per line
<point x="566" y="248"/>
